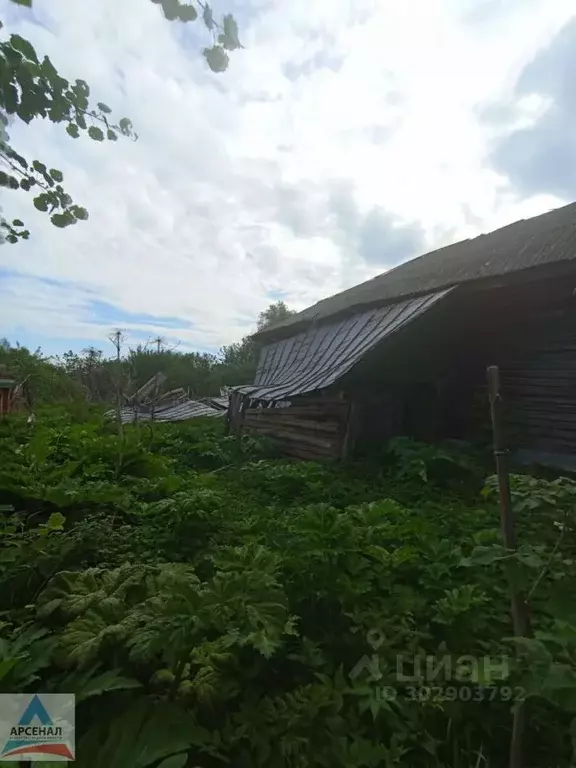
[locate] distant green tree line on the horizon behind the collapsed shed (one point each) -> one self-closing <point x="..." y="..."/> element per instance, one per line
<point x="92" y="375"/>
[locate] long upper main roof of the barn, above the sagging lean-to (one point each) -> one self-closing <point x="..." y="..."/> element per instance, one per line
<point x="542" y="240"/>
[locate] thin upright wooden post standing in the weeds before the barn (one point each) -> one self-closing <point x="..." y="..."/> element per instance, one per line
<point x="519" y="608"/>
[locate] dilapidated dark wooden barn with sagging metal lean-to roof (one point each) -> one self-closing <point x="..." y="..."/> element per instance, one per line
<point x="406" y="353"/>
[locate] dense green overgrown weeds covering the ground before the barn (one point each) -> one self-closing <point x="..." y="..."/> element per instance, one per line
<point x="210" y="604"/>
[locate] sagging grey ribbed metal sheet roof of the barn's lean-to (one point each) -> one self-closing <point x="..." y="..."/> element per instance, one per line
<point x="321" y="354"/>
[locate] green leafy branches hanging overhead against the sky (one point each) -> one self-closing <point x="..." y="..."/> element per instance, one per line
<point x="32" y="88"/>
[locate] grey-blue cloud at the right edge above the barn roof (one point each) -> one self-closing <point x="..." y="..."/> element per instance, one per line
<point x="541" y="157"/>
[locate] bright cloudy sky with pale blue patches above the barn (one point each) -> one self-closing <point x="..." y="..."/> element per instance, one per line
<point x="345" y="138"/>
